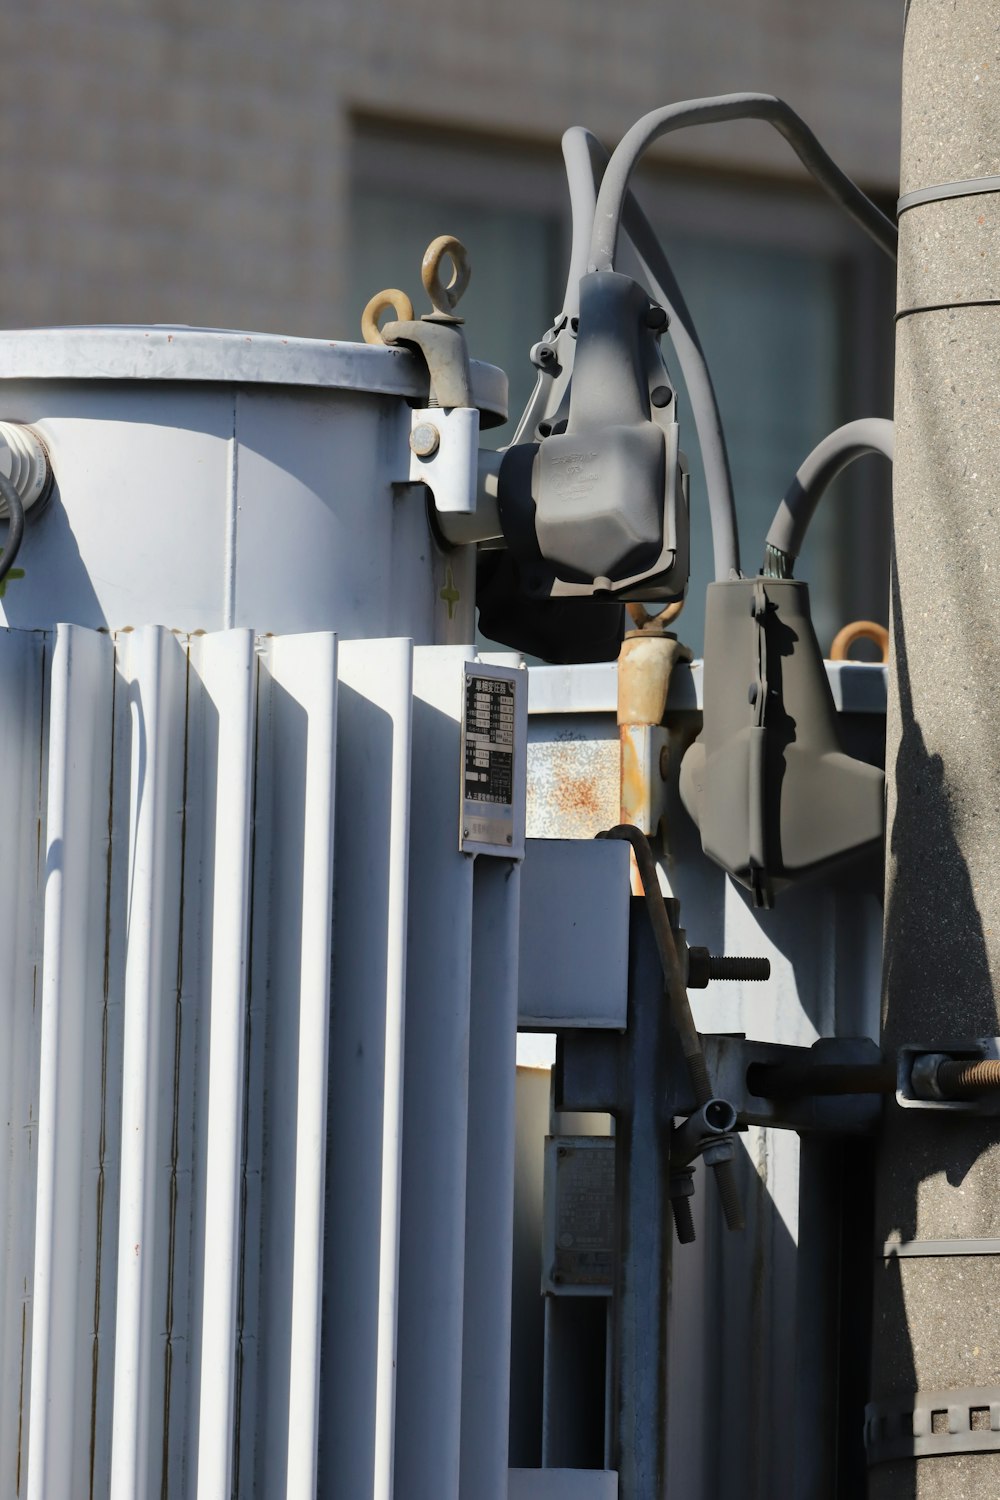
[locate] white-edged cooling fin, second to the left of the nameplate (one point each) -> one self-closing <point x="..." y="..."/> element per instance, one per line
<point x="367" y="1094"/>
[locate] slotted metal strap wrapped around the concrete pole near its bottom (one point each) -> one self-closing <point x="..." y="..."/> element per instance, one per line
<point x="933" y="1424"/>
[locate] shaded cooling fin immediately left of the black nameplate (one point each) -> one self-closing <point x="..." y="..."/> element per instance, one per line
<point x="436" y="1102"/>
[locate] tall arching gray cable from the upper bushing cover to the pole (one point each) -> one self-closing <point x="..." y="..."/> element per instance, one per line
<point x="713" y="112"/>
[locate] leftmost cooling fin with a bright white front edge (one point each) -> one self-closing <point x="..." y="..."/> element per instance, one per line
<point x="70" y="1057"/>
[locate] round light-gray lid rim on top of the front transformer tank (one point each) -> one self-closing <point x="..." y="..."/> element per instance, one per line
<point x="178" y="353"/>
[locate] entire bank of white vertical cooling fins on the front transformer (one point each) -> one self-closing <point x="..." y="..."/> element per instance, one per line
<point x="199" y="1301"/>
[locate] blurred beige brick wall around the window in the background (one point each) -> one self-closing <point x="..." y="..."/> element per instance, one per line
<point x="170" y="161"/>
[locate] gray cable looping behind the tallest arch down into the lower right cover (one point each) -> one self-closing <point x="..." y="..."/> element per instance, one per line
<point x="582" y="152"/>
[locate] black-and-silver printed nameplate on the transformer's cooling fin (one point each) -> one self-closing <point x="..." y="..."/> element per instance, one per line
<point x="494" y="727"/>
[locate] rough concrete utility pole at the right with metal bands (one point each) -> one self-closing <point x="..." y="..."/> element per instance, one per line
<point x="938" y="1306"/>
